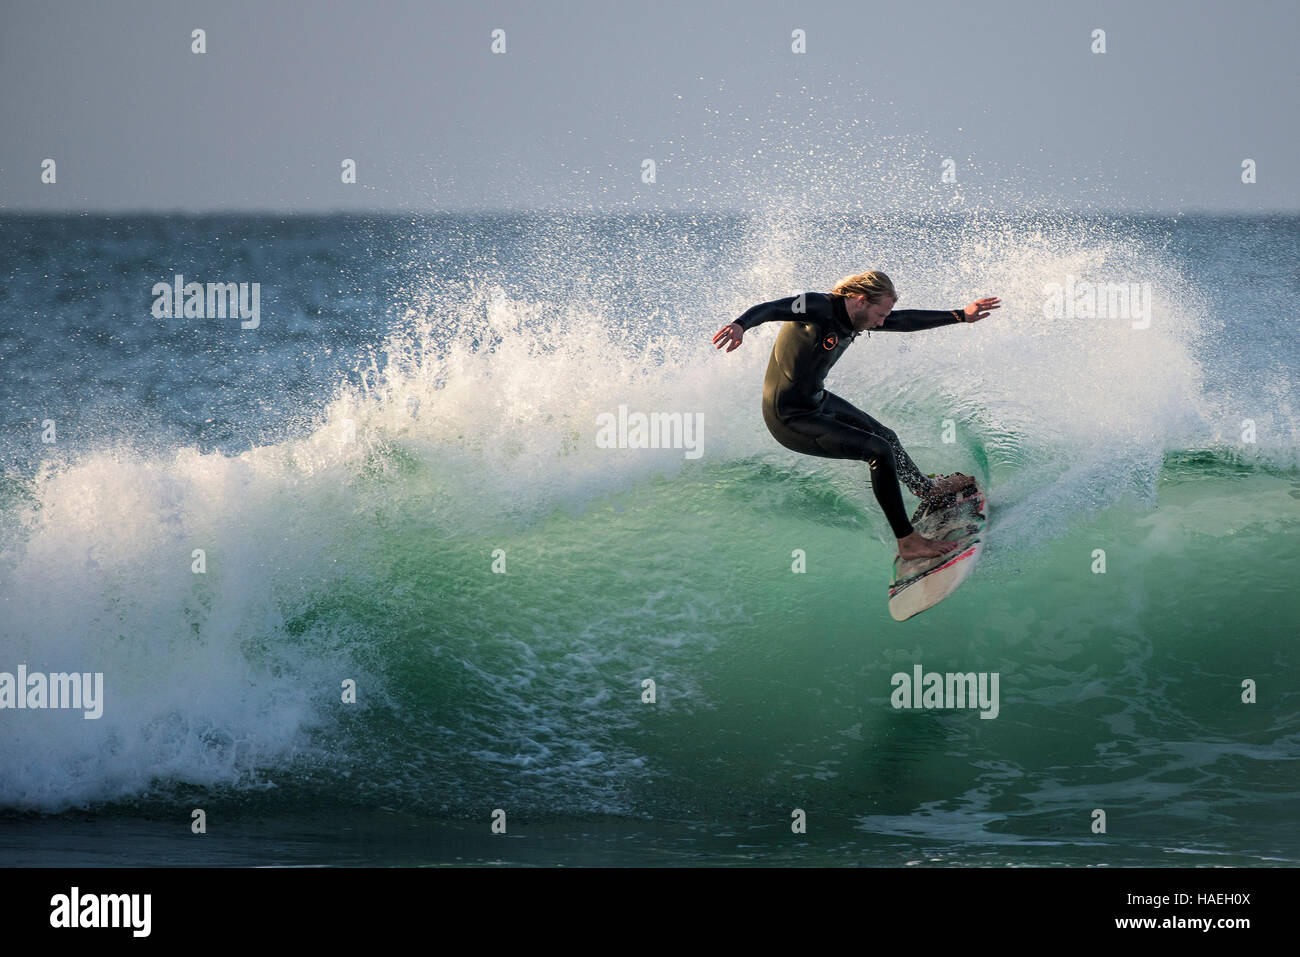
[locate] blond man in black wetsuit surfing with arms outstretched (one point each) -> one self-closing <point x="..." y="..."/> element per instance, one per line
<point x="804" y="417"/>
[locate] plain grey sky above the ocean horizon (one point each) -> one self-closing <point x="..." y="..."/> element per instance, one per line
<point x="710" y="92"/>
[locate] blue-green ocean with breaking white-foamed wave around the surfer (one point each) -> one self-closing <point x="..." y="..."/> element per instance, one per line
<point x="366" y="587"/>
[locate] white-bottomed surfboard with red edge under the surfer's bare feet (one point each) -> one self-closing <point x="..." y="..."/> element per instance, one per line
<point x="922" y="583"/>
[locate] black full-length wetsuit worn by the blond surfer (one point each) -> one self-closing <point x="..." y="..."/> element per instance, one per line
<point x="804" y="417"/>
